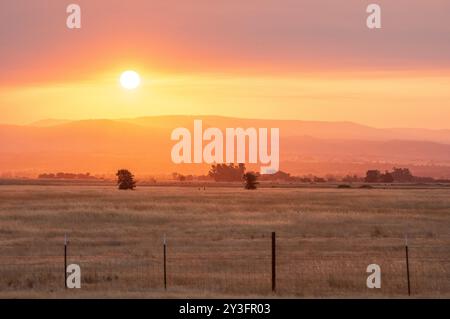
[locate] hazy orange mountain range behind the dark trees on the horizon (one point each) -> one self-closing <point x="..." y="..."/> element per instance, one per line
<point x="143" y="145"/>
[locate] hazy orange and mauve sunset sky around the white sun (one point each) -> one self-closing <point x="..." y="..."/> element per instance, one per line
<point x="312" y="59"/>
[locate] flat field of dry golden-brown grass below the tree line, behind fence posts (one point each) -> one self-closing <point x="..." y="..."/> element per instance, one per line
<point x="219" y="241"/>
